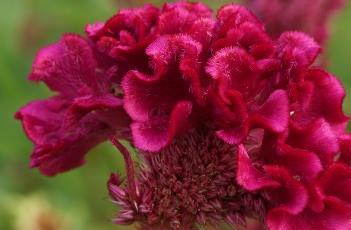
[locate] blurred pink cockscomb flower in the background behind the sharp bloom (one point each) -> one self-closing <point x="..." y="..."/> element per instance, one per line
<point x="311" y="17"/>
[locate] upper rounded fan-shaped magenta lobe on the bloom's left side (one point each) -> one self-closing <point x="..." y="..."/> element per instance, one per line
<point x="67" y="66"/>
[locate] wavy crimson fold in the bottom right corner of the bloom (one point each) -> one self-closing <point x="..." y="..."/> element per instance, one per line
<point x="335" y="216"/>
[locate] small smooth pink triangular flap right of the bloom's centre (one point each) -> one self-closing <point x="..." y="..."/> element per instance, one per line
<point x="274" y="113"/>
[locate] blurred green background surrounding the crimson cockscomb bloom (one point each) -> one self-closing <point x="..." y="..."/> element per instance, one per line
<point x="78" y="199"/>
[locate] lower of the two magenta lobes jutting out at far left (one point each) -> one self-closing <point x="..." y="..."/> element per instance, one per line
<point x="64" y="133"/>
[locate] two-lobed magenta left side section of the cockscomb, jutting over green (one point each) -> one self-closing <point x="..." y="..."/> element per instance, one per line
<point x="85" y="111"/>
